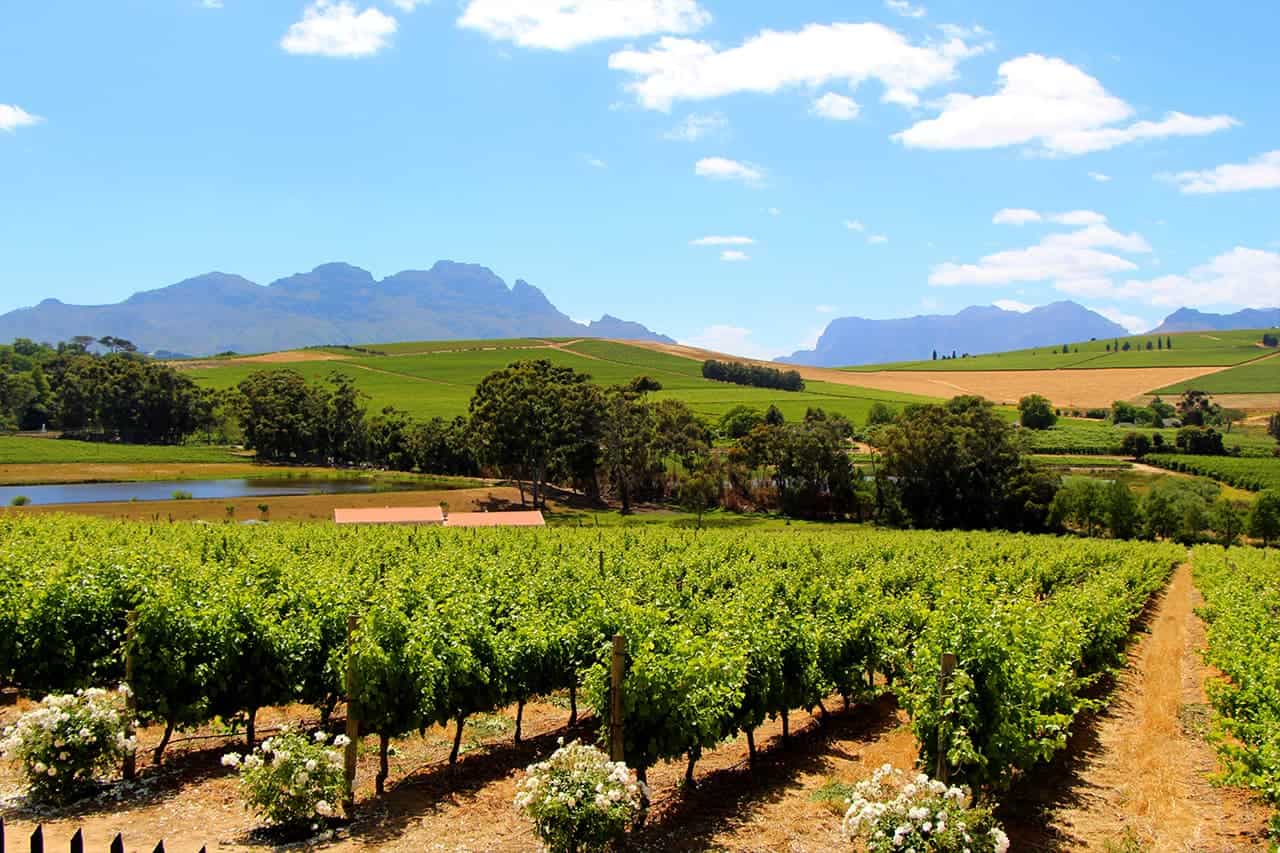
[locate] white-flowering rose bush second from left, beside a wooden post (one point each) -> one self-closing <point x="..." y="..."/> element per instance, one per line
<point x="291" y="779"/>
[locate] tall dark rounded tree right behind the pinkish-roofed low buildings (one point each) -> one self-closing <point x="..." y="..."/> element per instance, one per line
<point x="518" y="419"/>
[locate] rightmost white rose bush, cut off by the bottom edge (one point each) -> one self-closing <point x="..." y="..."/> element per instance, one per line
<point x="895" y="814"/>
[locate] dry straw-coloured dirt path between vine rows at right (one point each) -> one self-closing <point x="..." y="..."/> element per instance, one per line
<point x="1142" y="769"/>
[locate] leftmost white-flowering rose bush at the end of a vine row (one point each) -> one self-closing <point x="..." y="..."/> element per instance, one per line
<point x="67" y="742"/>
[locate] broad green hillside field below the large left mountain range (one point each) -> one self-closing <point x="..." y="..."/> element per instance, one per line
<point x="440" y="384"/>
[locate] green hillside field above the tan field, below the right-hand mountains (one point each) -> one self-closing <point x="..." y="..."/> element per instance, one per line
<point x="1190" y="350"/>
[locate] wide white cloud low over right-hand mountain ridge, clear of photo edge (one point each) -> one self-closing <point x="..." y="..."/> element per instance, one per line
<point x="1078" y="262"/>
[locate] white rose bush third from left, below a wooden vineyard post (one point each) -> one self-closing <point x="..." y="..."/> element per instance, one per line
<point x="579" y="800"/>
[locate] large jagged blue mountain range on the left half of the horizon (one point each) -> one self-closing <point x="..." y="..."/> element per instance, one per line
<point x="335" y="304"/>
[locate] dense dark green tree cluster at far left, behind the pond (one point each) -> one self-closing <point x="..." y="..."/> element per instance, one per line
<point x="118" y="395"/>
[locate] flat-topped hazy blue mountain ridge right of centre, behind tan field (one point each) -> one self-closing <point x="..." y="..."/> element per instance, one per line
<point x="977" y="330"/>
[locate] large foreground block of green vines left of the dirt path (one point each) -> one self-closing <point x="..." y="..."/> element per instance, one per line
<point x="724" y="630"/>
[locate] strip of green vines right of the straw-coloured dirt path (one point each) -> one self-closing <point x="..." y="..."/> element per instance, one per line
<point x="1242" y="592"/>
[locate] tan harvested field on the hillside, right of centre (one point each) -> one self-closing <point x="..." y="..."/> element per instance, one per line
<point x="1076" y="389"/>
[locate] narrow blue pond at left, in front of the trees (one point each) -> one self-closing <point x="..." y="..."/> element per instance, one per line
<point x="198" y="490"/>
